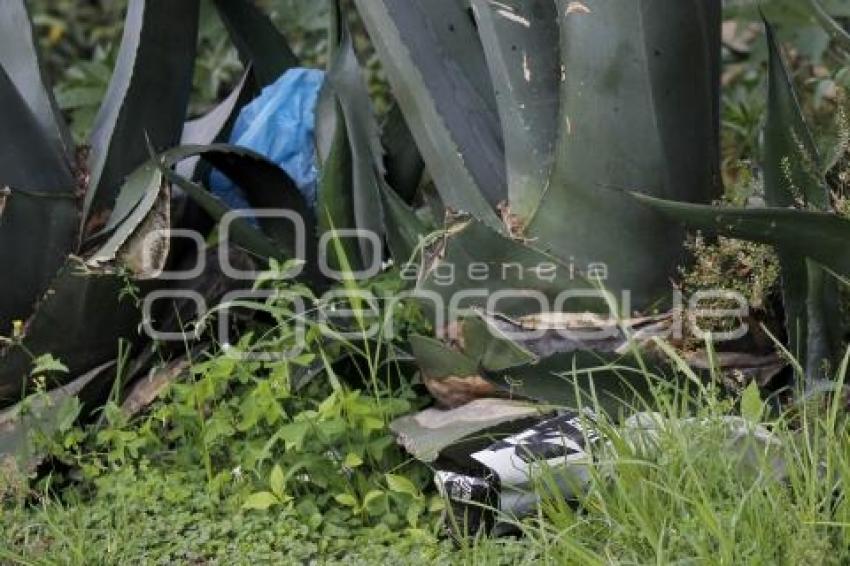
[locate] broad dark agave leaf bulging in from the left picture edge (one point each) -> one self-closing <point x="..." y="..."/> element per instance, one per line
<point x="38" y="215"/>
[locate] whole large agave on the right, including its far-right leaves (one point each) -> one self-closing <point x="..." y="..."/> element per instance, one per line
<point x="583" y="137"/>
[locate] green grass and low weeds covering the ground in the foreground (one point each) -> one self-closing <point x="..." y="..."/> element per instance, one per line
<point x="692" y="491"/>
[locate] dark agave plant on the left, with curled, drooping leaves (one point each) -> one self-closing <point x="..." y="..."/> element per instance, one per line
<point x="84" y="231"/>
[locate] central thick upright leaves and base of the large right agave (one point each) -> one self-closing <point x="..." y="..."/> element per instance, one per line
<point x="533" y="117"/>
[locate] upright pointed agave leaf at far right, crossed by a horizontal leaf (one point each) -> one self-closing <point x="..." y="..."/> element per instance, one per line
<point x="793" y="176"/>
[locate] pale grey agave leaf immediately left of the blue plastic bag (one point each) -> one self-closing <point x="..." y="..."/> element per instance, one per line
<point x="214" y="125"/>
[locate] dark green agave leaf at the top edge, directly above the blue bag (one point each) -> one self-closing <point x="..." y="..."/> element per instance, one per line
<point x="258" y="41"/>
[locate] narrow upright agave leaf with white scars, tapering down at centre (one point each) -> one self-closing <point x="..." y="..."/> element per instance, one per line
<point x="521" y="42"/>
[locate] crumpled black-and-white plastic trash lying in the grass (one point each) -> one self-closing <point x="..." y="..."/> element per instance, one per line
<point x="500" y="484"/>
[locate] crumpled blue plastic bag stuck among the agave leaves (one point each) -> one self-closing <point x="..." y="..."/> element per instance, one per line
<point x="279" y="124"/>
